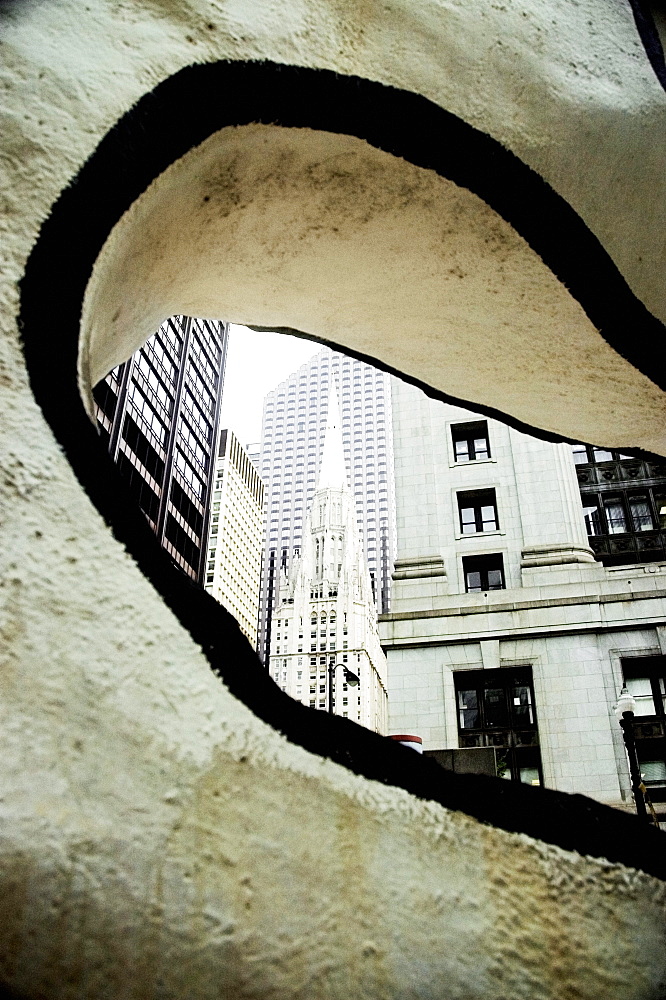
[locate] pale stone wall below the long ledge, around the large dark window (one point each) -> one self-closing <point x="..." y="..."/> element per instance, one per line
<point x="577" y="679"/>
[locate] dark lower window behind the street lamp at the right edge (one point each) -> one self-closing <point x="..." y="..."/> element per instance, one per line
<point x="645" y="678"/>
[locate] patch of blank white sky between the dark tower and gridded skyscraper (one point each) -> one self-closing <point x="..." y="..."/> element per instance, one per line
<point x="256" y="362"/>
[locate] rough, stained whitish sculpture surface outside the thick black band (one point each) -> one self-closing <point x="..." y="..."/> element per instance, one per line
<point x="157" y="840"/>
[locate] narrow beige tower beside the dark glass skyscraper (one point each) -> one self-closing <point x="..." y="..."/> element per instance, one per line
<point x="235" y="539"/>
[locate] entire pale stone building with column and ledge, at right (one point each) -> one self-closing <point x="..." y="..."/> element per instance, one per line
<point x="519" y="611"/>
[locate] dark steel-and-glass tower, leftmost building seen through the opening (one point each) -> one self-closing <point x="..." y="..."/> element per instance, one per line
<point x="158" y="414"/>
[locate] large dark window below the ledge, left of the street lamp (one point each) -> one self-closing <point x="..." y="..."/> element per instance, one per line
<point x="496" y="709"/>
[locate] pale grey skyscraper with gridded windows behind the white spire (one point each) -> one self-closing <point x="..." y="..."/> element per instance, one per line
<point x="292" y="436"/>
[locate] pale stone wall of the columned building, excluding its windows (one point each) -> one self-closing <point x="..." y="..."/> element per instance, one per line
<point x="569" y="621"/>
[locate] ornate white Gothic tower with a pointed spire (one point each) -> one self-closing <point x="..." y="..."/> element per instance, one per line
<point x="325" y="649"/>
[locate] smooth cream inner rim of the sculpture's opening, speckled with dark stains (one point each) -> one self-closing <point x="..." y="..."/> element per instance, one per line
<point x="267" y="225"/>
